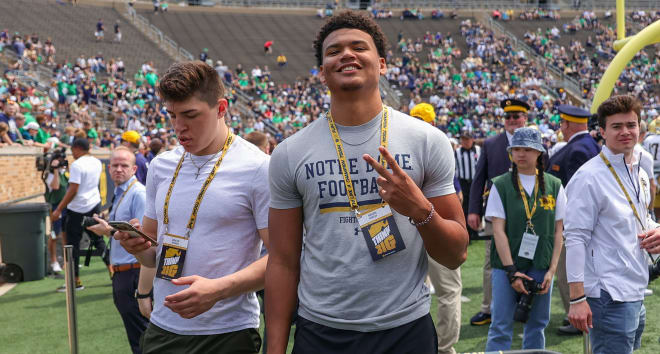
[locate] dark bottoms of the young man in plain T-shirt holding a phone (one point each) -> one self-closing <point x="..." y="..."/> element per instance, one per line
<point x="159" y="341"/>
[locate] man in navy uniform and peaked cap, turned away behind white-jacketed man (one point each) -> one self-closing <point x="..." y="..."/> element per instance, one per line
<point x="580" y="148"/>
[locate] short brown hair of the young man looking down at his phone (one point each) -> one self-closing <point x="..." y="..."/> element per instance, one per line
<point x="191" y="78"/>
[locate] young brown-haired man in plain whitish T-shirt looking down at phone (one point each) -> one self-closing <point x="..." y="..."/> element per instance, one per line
<point x="207" y="206"/>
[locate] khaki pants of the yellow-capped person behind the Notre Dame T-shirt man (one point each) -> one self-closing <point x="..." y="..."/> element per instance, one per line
<point x="448" y="287"/>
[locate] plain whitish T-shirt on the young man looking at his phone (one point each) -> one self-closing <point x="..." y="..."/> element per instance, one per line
<point x="225" y="238"/>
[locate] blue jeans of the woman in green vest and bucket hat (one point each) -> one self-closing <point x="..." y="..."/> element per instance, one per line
<point x="502" y="308"/>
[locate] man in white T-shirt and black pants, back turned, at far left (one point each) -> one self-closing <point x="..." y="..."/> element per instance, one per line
<point x="82" y="199"/>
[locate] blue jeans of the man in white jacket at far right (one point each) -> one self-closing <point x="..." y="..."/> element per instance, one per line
<point x="618" y="325"/>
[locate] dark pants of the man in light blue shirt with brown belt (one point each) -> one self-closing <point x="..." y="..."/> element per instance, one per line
<point x="124" y="285"/>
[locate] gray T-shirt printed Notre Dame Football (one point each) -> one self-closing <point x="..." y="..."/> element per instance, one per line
<point x="340" y="285"/>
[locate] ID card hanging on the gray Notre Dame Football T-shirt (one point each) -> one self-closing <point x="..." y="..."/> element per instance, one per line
<point x="380" y="232"/>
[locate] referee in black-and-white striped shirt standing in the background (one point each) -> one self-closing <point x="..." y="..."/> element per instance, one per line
<point x="467" y="156"/>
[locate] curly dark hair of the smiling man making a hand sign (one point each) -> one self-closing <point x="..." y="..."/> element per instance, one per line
<point x="350" y="19"/>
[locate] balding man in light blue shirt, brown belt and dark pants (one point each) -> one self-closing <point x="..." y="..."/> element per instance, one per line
<point x="128" y="203"/>
